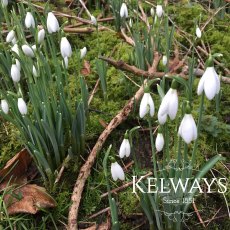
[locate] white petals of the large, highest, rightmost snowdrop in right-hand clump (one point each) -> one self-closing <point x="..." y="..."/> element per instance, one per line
<point x="209" y="83"/>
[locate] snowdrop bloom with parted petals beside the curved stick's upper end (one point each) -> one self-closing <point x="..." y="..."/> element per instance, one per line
<point x="147" y="104"/>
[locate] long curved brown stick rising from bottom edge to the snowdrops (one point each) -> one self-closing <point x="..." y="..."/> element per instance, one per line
<point x="86" y="168"/>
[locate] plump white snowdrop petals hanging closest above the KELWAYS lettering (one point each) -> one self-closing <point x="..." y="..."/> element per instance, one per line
<point x="188" y="129"/>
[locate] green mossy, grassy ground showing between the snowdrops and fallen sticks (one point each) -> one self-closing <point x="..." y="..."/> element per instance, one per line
<point x="215" y="128"/>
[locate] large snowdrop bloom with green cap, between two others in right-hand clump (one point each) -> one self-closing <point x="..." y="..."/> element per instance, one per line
<point x="169" y="105"/>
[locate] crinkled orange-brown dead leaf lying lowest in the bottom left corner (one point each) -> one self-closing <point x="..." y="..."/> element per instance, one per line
<point x="28" y="198"/>
